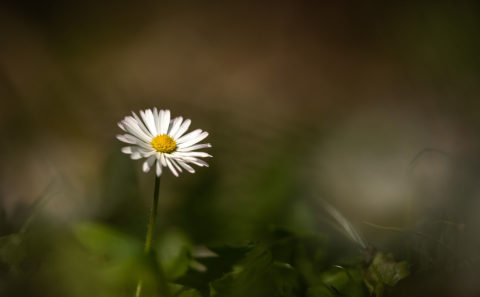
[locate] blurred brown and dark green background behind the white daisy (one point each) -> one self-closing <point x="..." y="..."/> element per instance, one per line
<point x="371" y="106"/>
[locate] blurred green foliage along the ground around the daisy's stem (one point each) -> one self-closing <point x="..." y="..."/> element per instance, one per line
<point x="96" y="258"/>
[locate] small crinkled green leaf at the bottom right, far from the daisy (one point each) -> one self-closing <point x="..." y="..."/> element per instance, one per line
<point x="384" y="271"/>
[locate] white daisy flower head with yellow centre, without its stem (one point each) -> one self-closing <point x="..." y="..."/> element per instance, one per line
<point x="162" y="141"/>
